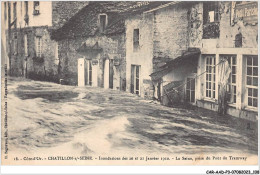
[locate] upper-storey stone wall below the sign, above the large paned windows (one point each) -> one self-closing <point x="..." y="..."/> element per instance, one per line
<point x="228" y="29"/>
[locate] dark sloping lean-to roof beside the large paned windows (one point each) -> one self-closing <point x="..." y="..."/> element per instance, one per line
<point x="188" y="57"/>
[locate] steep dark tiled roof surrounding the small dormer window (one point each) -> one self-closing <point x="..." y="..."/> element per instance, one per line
<point x="85" y="23"/>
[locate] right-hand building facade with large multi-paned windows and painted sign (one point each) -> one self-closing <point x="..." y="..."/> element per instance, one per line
<point x="234" y="40"/>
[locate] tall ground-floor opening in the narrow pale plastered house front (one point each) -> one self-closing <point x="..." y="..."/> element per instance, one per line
<point x="135" y="79"/>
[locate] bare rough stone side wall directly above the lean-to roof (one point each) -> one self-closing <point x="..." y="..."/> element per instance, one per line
<point x="170" y="31"/>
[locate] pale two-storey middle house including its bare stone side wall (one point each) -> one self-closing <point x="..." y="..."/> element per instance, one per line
<point x="161" y="35"/>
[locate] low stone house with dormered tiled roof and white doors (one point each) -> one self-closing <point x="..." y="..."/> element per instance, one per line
<point x="92" y="44"/>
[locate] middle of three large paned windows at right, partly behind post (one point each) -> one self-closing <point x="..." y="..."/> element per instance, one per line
<point x="231" y="87"/>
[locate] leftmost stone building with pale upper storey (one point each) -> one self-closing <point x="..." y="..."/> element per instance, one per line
<point x="30" y="51"/>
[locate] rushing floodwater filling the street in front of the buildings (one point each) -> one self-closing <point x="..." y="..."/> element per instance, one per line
<point x="49" y="117"/>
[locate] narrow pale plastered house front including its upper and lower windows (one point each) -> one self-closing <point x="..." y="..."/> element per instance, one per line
<point x="139" y="54"/>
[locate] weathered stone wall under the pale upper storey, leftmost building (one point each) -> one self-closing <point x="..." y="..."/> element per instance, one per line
<point x="29" y="66"/>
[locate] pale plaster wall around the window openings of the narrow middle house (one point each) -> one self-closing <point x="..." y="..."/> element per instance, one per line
<point x="143" y="56"/>
